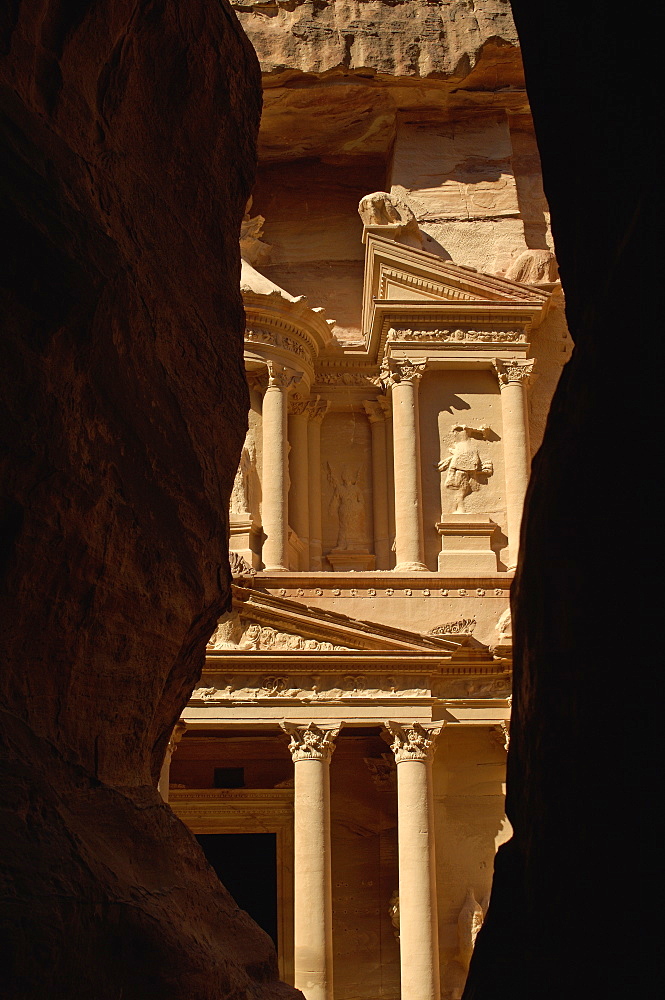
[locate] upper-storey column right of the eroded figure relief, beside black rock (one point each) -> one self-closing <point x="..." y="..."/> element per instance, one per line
<point x="513" y="378"/>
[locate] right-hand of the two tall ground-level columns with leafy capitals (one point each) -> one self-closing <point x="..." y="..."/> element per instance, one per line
<point x="413" y="747"/>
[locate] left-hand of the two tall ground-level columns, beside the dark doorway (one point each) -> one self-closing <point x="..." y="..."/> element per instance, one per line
<point x="311" y="749"/>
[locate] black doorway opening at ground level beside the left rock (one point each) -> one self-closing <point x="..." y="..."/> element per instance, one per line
<point x="246" y="863"/>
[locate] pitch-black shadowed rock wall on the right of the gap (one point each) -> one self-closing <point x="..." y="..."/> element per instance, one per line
<point x="564" y="918"/>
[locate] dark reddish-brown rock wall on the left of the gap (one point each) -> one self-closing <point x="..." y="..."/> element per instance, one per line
<point x="129" y="138"/>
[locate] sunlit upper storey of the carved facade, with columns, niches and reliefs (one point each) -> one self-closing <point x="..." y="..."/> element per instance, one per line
<point x="408" y="451"/>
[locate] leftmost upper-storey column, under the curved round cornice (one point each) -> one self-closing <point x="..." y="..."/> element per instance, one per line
<point x="275" y="506"/>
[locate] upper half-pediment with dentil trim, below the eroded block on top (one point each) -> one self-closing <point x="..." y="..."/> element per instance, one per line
<point x="407" y="285"/>
